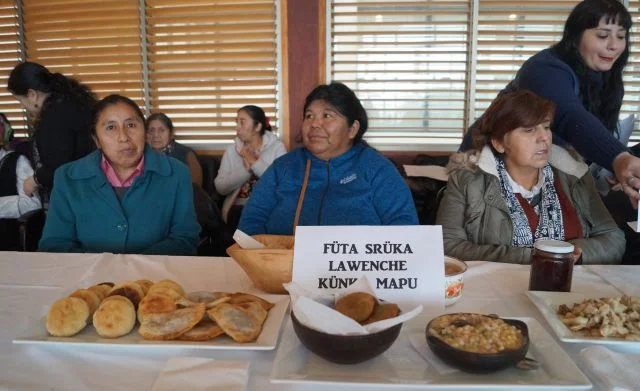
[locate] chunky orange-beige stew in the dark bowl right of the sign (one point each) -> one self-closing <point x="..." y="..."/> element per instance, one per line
<point x="476" y="333"/>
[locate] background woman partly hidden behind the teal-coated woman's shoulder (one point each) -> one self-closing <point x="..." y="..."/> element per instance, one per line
<point x="161" y="137"/>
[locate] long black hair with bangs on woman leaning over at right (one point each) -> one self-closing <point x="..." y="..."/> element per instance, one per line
<point x="602" y="101"/>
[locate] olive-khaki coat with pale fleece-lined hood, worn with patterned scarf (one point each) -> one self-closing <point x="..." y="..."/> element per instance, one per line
<point x="477" y="225"/>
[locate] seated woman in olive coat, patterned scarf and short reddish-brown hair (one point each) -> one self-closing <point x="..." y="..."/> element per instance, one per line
<point x="516" y="187"/>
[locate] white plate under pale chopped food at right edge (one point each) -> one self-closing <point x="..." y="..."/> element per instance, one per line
<point x="548" y="302"/>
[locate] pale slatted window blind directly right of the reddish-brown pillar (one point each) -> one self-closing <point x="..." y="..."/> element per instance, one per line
<point x="407" y="62"/>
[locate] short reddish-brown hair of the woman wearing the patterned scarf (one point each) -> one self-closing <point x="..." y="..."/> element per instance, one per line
<point x="510" y="111"/>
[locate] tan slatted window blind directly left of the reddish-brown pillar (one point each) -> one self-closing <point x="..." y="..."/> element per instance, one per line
<point x="208" y="58"/>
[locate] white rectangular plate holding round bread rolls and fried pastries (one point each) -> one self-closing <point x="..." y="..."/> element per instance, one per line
<point x="37" y="334"/>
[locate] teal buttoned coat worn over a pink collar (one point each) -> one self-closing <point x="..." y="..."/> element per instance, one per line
<point x="156" y="216"/>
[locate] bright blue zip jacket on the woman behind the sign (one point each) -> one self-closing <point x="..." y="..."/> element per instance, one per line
<point x="360" y="187"/>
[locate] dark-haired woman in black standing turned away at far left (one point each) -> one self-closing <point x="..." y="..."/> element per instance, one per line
<point x="60" y="110"/>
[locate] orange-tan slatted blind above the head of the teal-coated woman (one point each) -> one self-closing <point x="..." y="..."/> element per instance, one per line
<point x="96" y="42"/>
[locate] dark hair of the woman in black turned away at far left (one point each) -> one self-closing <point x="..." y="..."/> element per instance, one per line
<point x="31" y="75"/>
